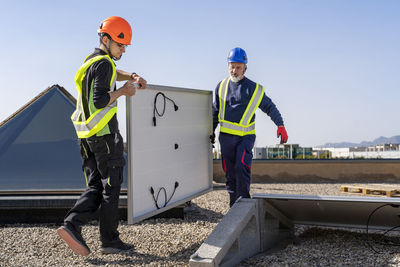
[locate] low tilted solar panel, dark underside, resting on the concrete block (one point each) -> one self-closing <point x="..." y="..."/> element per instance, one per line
<point x="337" y="211"/>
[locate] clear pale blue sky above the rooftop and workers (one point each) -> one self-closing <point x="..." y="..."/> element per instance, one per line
<point x="331" y="67"/>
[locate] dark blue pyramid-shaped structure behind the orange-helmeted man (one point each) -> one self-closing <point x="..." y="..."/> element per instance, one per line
<point x="38" y="146"/>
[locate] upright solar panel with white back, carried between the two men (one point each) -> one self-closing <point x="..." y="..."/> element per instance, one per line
<point x="169" y="150"/>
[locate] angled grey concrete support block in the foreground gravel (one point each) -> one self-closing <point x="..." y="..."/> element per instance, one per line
<point x="251" y="226"/>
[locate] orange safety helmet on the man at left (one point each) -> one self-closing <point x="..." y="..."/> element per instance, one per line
<point x="119" y="29"/>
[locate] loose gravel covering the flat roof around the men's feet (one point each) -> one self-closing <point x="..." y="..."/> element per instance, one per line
<point x="170" y="242"/>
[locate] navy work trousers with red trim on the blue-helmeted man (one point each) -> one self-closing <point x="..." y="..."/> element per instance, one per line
<point x="236" y="161"/>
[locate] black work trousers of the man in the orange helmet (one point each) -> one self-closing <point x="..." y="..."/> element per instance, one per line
<point x="102" y="164"/>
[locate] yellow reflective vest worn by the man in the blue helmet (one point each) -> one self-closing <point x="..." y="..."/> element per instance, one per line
<point x="244" y="127"/>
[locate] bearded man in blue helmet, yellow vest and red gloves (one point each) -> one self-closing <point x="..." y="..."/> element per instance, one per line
<point x="236" y="101"/>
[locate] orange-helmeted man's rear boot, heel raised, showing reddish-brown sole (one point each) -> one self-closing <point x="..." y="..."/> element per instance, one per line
<point x="74" y="240"/>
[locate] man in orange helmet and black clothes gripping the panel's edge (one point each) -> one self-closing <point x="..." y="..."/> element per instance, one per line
<point x="100" y="142"/>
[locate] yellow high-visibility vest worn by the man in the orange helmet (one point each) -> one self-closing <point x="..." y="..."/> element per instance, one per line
<point x="86" y="127"/>
